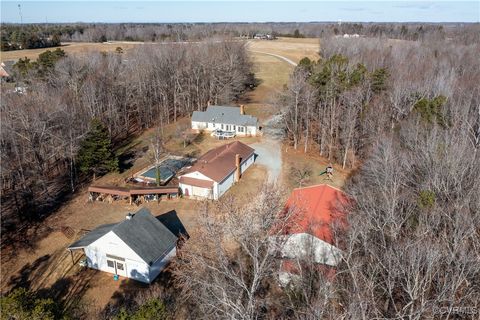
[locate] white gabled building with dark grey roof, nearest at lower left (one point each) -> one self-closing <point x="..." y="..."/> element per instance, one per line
<point x="138" y="247"/>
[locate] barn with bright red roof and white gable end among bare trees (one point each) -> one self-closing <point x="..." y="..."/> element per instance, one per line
<point x="316" y="213"/>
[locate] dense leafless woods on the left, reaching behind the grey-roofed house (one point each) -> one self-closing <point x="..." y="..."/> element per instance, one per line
<point x="43" y="130"/>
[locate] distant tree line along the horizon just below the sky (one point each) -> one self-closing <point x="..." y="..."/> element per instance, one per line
<point x="28" y="36"/>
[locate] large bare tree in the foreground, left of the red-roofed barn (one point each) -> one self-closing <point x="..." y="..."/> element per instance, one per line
<point x="224" y="273"/>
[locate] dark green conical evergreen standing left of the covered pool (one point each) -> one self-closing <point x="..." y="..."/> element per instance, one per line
<point x="96" y="154"/>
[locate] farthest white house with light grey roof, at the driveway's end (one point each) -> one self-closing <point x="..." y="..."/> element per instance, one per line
<point x="230" y="119"/>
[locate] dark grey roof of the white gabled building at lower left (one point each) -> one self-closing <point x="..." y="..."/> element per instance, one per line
<point x="143" y="233"/>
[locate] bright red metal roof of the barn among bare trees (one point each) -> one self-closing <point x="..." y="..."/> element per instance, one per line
<point x="315" y="210"/>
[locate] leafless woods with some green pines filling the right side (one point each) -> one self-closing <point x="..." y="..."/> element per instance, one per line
<point x="408" y="115"/>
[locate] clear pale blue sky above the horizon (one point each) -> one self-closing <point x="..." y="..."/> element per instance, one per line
<point x="240" y="11"/>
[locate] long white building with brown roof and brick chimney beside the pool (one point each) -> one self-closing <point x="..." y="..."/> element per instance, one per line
<point x="216" y="171"/>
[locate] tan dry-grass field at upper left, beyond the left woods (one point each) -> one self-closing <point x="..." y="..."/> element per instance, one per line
<point x="68" y="47"/>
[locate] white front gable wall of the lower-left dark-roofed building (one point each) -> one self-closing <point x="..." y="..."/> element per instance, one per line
<point x="111" y="244"/>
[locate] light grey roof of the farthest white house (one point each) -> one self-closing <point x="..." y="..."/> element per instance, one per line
<point x="226" y="115"/>
